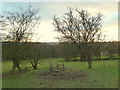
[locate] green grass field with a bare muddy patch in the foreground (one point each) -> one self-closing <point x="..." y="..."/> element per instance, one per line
<point x="104" y="74"/>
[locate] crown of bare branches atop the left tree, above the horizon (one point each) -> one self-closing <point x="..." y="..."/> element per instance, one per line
<point x="20" y="25"/>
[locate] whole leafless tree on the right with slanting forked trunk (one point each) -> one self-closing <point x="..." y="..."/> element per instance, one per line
<point x="79" y="27"/>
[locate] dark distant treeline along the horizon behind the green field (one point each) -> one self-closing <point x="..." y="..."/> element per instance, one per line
<point x="68" y="51"/>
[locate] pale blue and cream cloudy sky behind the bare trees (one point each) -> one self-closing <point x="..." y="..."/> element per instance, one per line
<point x="45" y="32"/>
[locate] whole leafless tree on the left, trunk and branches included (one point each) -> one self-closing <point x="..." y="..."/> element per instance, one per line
<point x="20" y="26"/>
